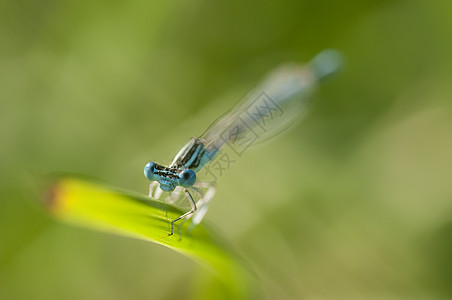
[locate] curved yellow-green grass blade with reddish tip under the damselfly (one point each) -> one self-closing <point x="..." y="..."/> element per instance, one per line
<point x="89" y="204"/>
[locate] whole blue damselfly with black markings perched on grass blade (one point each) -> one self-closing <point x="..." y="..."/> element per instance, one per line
<point x="275" y="104"/>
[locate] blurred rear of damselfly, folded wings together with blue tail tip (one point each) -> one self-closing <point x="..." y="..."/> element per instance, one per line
<point x="275" y="104"/>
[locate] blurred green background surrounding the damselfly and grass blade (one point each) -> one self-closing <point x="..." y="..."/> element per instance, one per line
<point x="102" y="87"/>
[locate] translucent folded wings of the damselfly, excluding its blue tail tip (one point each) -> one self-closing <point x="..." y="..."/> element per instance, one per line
<point x="266" y="111"/>
